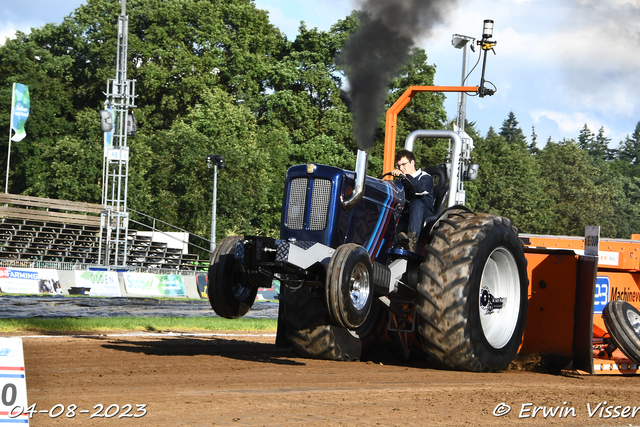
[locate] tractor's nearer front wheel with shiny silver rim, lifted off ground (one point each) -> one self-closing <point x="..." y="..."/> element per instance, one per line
<point x="349" y="288"/>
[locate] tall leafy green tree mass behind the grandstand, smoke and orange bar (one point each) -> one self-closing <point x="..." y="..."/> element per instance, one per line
<point x="212" y="77"/>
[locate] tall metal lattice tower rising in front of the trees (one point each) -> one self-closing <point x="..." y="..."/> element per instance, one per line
<point x="114" y="221"/>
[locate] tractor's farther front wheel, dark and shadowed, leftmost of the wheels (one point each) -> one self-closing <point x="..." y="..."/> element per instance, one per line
<point x="230" y="294"/>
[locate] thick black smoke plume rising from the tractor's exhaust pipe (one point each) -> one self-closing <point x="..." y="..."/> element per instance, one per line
<point x="376" y="52"/>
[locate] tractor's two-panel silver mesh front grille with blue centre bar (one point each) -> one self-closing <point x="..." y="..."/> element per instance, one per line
<point x="300" y="205"/>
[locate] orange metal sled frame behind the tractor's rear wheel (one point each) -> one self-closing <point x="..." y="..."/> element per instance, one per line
<point x="555" y="264"/>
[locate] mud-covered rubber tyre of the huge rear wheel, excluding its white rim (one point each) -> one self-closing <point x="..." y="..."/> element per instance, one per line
<point x="444" y="291"/>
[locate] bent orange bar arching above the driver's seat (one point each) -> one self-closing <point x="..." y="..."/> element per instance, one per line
<point x="392" y="118"/>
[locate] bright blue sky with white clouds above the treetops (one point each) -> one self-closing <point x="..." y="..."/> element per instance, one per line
<point x="558" y="64"/>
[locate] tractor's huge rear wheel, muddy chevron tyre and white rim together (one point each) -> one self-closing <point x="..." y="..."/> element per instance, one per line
<point x="473" y="293"/>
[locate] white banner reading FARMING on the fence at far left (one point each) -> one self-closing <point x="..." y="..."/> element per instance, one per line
<point x="29" y="281"/>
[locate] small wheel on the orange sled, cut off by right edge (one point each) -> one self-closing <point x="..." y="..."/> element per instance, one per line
<point x="623" y="324"/>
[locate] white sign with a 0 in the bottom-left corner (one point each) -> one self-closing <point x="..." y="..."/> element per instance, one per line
<point x="13" y="385"/>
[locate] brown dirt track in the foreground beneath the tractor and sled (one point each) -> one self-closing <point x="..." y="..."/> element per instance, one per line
<point x="236" y="381"/>
